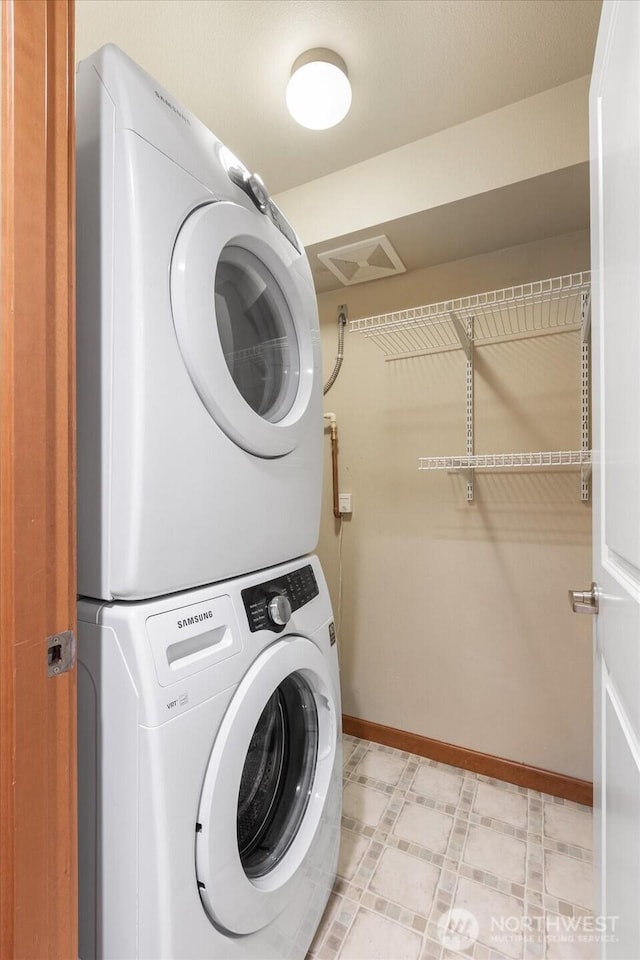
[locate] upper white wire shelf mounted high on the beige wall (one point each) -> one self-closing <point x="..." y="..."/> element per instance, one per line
<point x="528" y="310"/>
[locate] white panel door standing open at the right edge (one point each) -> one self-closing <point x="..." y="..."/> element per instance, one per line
<point x="615" y="229"/>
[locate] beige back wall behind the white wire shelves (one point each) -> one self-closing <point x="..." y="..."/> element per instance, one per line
<point x="455" y="622"/>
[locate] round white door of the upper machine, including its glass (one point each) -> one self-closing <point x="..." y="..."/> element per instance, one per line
<point x="244" y="317"/>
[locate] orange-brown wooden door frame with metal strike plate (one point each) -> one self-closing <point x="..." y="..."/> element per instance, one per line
<point x="38" y="854"/>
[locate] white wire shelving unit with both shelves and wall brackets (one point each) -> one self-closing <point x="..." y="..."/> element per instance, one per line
<point x="557" y="305"/>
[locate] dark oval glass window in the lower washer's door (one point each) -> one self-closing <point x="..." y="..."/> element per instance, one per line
<point x="277" y="776"/>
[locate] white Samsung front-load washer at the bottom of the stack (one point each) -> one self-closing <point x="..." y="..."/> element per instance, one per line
<point x="209" y="744"/>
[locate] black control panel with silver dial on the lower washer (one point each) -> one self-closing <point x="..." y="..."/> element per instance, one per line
<point x="269" y="605"/>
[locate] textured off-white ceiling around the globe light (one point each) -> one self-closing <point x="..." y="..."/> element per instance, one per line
<point x="417" y="66"/>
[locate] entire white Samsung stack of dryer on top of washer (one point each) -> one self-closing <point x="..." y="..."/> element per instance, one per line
<point x="209" y="700"/>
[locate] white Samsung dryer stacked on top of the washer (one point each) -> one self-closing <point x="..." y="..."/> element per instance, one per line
<point x="199" y="372"/>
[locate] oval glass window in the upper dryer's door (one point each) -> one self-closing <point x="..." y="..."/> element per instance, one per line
<point x="257" y="333"/>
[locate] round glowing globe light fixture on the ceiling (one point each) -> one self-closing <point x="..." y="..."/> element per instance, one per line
<point x="319" y="92"/>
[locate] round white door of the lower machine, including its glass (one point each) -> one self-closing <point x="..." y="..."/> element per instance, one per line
<point x="265" y="786"/>
